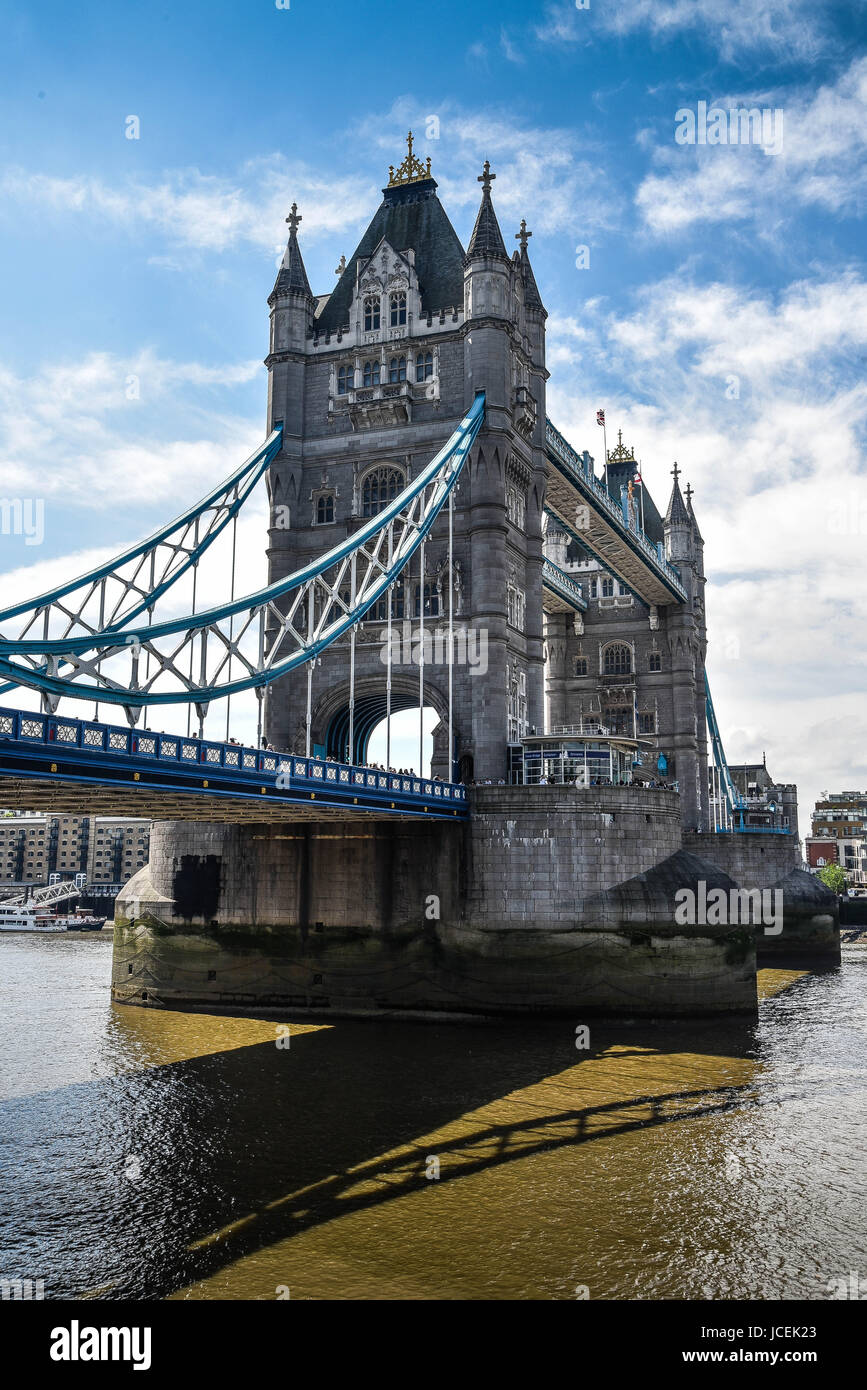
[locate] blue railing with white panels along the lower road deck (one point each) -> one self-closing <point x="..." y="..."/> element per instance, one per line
<point x="237" y="768"/>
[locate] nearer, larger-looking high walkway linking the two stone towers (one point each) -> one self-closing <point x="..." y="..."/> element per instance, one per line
<point x="586" y="511"/>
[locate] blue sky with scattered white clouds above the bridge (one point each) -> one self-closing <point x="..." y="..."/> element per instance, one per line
<point x="722" y="320"/>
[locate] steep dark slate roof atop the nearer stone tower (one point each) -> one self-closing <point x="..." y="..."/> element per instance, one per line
<point x="411" y="216"/>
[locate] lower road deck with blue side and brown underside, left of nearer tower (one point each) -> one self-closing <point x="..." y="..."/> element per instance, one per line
<point x="77" y="768"/>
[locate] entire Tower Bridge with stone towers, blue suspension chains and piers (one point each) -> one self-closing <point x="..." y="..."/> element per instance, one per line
<point x="416" y="486"/>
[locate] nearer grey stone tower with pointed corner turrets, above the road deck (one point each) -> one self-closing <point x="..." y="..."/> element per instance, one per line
<point x="369" y="383"/>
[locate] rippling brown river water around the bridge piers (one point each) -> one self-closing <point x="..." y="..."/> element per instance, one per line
<point x="183" y="1156"/>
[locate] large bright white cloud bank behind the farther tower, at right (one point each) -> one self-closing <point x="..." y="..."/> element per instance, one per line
<point x="780" y="483"/>
